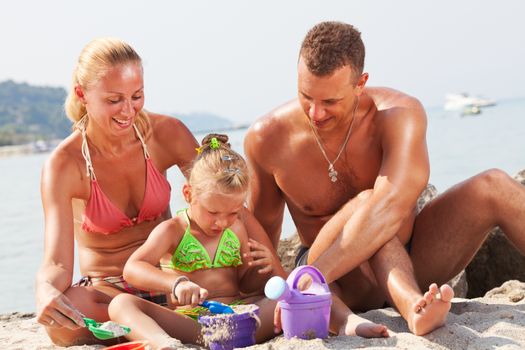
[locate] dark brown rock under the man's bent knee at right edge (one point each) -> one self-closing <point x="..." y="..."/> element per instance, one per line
<point x="496" y="262"/>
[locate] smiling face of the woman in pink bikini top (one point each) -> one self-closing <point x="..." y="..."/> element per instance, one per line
<point x="114" y="101"/>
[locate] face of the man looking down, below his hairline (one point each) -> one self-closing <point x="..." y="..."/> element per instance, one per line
<point x="328" y="100"/>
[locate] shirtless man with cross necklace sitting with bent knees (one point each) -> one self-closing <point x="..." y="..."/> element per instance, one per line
<point x="350" y="163"/>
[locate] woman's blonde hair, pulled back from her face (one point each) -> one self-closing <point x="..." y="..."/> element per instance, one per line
<point x="95" y="60"/>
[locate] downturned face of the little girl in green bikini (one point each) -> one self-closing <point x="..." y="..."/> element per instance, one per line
<point x="213" y="212"/>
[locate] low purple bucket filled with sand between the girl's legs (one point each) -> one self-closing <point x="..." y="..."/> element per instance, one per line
<point x="229" y="331"/>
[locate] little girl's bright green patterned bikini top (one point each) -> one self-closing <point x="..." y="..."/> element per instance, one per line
<point x="191" y="255"/>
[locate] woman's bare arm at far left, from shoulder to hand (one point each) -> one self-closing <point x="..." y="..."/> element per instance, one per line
<point x="55" y="273"/>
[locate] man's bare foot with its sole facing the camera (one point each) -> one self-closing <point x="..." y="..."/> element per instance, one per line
<point x="431" y="310"/>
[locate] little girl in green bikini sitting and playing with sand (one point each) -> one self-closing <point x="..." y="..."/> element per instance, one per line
<point x="204" y="253"/>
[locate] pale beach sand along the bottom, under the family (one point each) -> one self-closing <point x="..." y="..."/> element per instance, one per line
<point x="495" y="321"/>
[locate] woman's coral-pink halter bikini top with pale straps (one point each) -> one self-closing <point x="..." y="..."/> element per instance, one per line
<point x="102" y="216"/>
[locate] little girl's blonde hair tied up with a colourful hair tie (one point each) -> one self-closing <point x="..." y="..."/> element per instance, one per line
<point x="219" y="168"/>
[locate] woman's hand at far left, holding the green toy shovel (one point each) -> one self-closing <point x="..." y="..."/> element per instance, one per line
<point x="54" y="309"/>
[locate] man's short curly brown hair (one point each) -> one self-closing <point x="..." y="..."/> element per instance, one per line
<point x="329" y="46"/>
